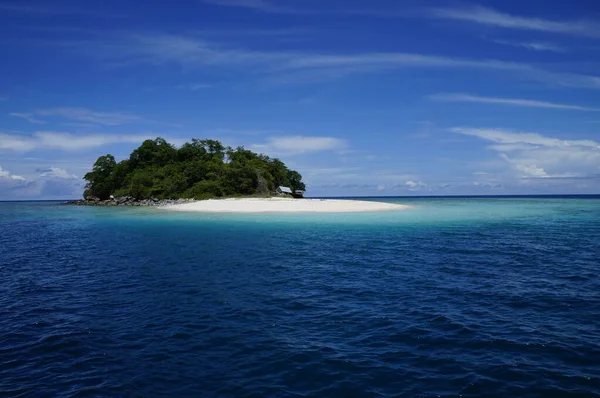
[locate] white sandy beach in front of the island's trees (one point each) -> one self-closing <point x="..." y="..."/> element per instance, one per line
<point x="283" y="205"/>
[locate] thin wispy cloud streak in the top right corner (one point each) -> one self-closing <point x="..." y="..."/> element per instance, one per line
<point x="491" y="17"/>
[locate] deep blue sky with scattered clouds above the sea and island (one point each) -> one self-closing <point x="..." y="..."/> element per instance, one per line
<point x="384" y="97"/>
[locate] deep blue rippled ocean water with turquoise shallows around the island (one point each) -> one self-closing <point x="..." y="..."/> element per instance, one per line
<point x="494" y="297"/>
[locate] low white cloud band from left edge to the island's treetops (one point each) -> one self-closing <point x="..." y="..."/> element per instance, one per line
<point x="64" y="141"/>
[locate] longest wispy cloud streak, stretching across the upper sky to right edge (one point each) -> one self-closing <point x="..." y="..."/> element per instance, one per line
<point x="192" y="52"/>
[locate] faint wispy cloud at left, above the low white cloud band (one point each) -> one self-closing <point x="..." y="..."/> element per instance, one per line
<point x="81" y="115"/>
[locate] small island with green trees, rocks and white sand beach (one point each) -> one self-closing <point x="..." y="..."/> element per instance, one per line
<point x="205" y="176"/>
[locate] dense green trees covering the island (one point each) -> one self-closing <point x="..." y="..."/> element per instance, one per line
<point x="200" y="169"/>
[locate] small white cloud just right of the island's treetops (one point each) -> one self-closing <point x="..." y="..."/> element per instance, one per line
<point x="300" y="144"/>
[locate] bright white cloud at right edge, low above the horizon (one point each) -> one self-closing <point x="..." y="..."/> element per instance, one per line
<point x="532" y="155"/>
